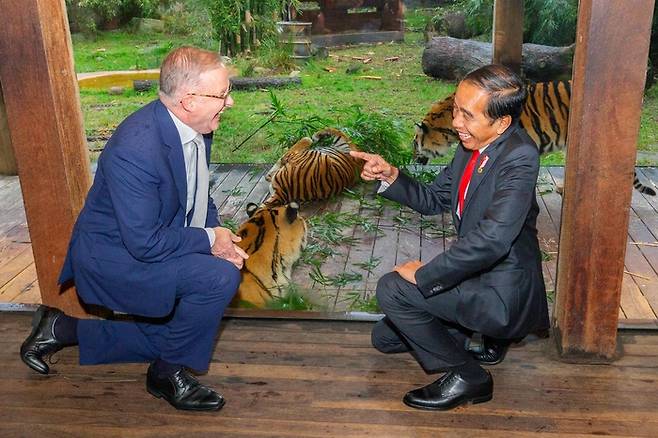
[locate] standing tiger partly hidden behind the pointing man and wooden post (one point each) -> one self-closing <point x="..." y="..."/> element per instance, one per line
<point x="545" y="117"/>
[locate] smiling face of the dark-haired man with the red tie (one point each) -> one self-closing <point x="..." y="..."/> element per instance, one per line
<point x="474" y="127"/>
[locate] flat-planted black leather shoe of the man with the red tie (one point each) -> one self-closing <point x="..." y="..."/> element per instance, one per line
<point x="450" y="391"/>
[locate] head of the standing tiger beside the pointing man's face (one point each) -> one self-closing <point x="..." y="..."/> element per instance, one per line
<point x="434" y="135"/>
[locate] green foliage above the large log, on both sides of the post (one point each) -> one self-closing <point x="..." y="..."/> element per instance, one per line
<point x="549" y="22"/>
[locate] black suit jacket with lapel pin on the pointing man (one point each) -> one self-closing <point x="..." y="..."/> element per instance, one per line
<point x="495" y="263"/>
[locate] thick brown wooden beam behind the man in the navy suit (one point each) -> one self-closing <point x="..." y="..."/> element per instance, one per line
<point x="45" y="122"/>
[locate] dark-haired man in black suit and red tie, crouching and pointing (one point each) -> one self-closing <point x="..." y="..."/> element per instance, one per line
<point x="490" y="280"/>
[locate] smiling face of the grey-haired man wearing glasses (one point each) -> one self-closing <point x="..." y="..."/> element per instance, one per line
<point x="203" y="103"/>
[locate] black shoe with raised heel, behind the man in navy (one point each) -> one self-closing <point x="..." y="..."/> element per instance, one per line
<point x="42" y="341"/>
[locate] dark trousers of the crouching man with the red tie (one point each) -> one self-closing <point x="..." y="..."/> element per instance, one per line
<point x="424" y="326"/>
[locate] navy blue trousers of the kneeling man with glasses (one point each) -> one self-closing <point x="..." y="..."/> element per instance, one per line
<point x="205" y="285"/>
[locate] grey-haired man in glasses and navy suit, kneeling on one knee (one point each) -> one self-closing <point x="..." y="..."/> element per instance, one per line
<point x="148" y="242"/>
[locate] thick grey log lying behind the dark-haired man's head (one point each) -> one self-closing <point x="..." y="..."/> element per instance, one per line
<point x="451" y="58"/>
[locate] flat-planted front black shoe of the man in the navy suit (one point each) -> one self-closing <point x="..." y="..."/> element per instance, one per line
<point x="183" y="391"/>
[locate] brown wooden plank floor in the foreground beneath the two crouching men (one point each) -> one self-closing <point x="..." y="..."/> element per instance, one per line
<point x="294" y="378"/>
